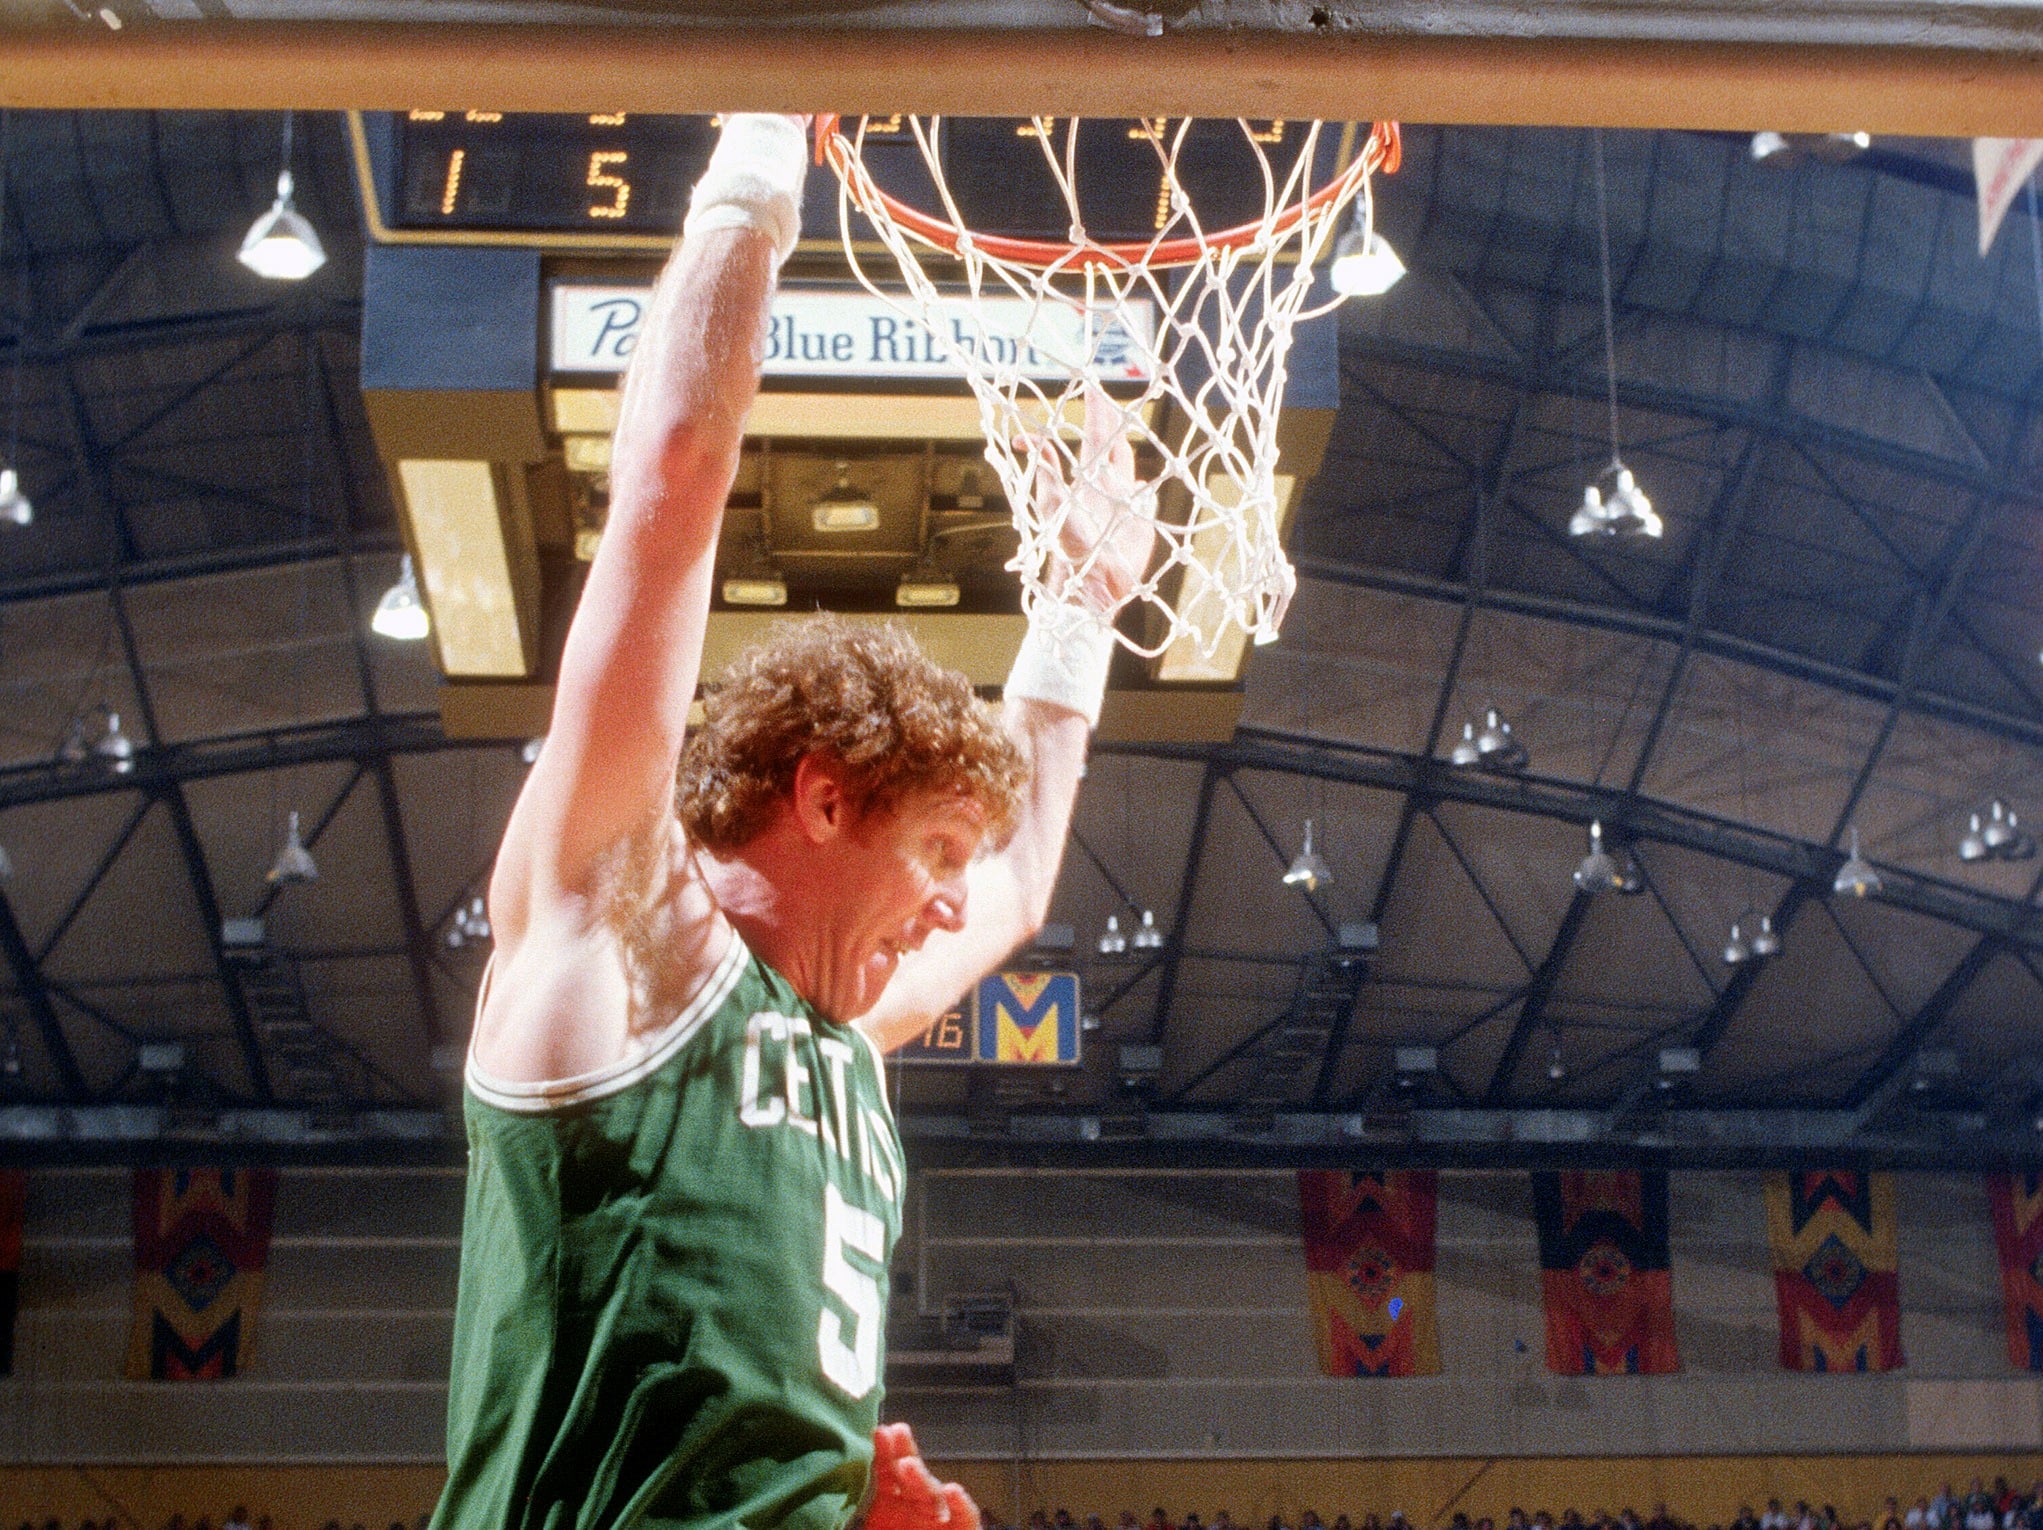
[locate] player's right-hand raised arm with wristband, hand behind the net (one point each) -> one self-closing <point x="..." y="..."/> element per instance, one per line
<point x="1051" y="708"/>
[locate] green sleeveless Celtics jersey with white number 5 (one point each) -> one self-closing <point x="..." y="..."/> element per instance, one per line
<point x="675" y="1278"/>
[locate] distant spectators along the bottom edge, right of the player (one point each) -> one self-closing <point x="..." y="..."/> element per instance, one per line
<point x="1979" y="1509"/>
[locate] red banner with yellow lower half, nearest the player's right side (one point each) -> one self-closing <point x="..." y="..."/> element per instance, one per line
<point x="1370" y="1270"/>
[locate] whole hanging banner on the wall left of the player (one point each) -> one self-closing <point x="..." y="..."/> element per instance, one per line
<point x="201" y="1247"/>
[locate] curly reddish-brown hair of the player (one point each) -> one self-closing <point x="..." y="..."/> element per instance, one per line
<point x="859" y="694"/>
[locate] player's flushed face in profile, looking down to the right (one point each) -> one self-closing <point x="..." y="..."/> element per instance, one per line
<point x="906" y="883"/>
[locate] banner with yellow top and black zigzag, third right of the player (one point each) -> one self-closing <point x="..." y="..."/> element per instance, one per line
<point x="1832" y="1233"/>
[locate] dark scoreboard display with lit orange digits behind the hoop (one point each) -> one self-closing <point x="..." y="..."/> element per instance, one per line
<point x="540" y="175"/>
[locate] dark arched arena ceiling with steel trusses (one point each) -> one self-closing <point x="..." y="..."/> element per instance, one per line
<point x="1827" y="391"/>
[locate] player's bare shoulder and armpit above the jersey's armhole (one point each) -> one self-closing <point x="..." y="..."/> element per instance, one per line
<point x="589" y="990"/>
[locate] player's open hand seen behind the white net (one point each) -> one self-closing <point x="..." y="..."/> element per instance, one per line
<point x="1106" y="520"/>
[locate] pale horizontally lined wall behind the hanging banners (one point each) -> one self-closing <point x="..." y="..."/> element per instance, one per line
<point x="1161" y="1317"/>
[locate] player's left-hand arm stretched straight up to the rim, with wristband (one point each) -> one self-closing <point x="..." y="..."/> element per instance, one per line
<point x="602" y="792"/>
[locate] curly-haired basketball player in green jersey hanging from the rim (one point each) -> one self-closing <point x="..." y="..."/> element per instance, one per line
<point x="685" y="1180"/>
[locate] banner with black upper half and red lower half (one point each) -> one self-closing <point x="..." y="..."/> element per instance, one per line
<point x="1607" y="1274"/>
